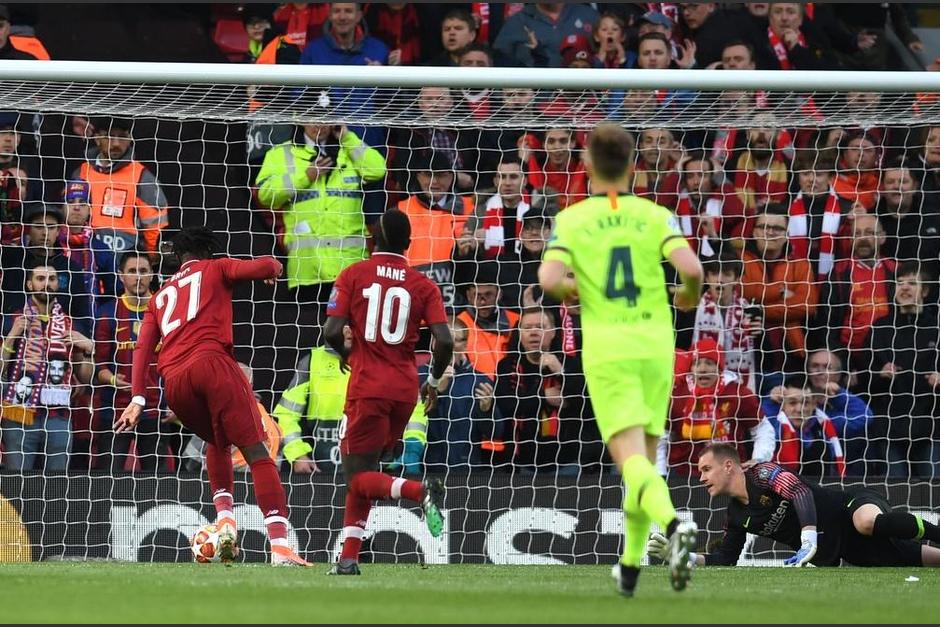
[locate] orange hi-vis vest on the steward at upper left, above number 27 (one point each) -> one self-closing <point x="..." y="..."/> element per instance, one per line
<point x="116" y="206"/>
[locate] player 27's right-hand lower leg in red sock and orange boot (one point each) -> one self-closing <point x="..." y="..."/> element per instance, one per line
<point x="272" y="501"/>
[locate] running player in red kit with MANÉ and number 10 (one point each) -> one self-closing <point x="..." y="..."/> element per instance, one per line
<point x="384" y="302"/>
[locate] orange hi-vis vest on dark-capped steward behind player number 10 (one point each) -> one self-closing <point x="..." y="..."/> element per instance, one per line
<point x="433" y="232"/>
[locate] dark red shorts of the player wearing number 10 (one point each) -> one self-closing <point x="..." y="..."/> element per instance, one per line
<point x="373" y="425"/>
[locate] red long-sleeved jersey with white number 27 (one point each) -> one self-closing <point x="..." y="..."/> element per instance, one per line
<point x="192" y="313"/>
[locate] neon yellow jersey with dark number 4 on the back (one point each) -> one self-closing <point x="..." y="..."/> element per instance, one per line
<point x="616" y="254"/>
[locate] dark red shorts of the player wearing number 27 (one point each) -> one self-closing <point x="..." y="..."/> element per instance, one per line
<point x="214" y="400"/>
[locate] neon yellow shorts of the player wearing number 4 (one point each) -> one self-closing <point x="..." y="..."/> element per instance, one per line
<point x="632" y="393"/>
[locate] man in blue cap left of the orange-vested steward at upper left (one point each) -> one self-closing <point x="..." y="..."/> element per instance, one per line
<point x="83" y="246"/>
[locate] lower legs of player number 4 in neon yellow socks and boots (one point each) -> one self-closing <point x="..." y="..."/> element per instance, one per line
<point x="647" y="500"/>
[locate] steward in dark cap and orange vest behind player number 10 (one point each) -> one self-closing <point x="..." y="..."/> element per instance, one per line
<point x="437" y="216"/>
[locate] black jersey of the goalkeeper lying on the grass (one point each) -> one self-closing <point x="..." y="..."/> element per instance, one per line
<point x="779" y="505"/>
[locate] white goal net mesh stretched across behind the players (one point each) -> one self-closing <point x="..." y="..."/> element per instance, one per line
<point x="527" y="476"/>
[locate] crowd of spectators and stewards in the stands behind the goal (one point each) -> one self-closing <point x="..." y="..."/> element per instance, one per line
<point x="814" y="344"/>
